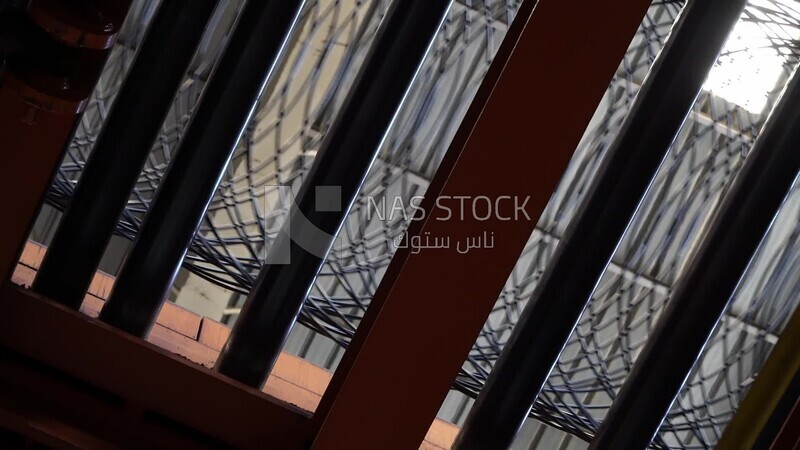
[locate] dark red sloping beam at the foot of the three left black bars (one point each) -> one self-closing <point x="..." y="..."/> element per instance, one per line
<point x="157" y="384"/>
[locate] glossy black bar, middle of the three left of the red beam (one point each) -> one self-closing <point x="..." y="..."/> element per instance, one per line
<point x="196" y="170"/>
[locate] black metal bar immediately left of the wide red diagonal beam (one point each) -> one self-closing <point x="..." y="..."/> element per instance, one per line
<point x="330" y="189"/>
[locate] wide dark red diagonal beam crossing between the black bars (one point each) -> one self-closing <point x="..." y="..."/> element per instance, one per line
<point x="516" y="140"/>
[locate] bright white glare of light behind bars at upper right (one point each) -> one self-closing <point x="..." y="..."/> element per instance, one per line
<point x="751" y="64"/>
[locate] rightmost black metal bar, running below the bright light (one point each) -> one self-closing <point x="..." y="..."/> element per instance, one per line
<point x="703" y="292"/>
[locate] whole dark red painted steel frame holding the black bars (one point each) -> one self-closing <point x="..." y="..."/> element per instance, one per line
<point x="56" y="361"/>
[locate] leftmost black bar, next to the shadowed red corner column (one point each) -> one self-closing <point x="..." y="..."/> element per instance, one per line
<point x="121" y="150"/>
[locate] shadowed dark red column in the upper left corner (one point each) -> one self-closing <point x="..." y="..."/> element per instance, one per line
<point x="51" y="56"/>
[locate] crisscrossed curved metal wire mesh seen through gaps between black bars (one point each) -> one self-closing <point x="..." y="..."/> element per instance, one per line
<point x="649" y="260"/>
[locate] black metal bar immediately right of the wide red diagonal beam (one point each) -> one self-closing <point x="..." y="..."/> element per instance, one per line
<point x="664" y="101"/>
